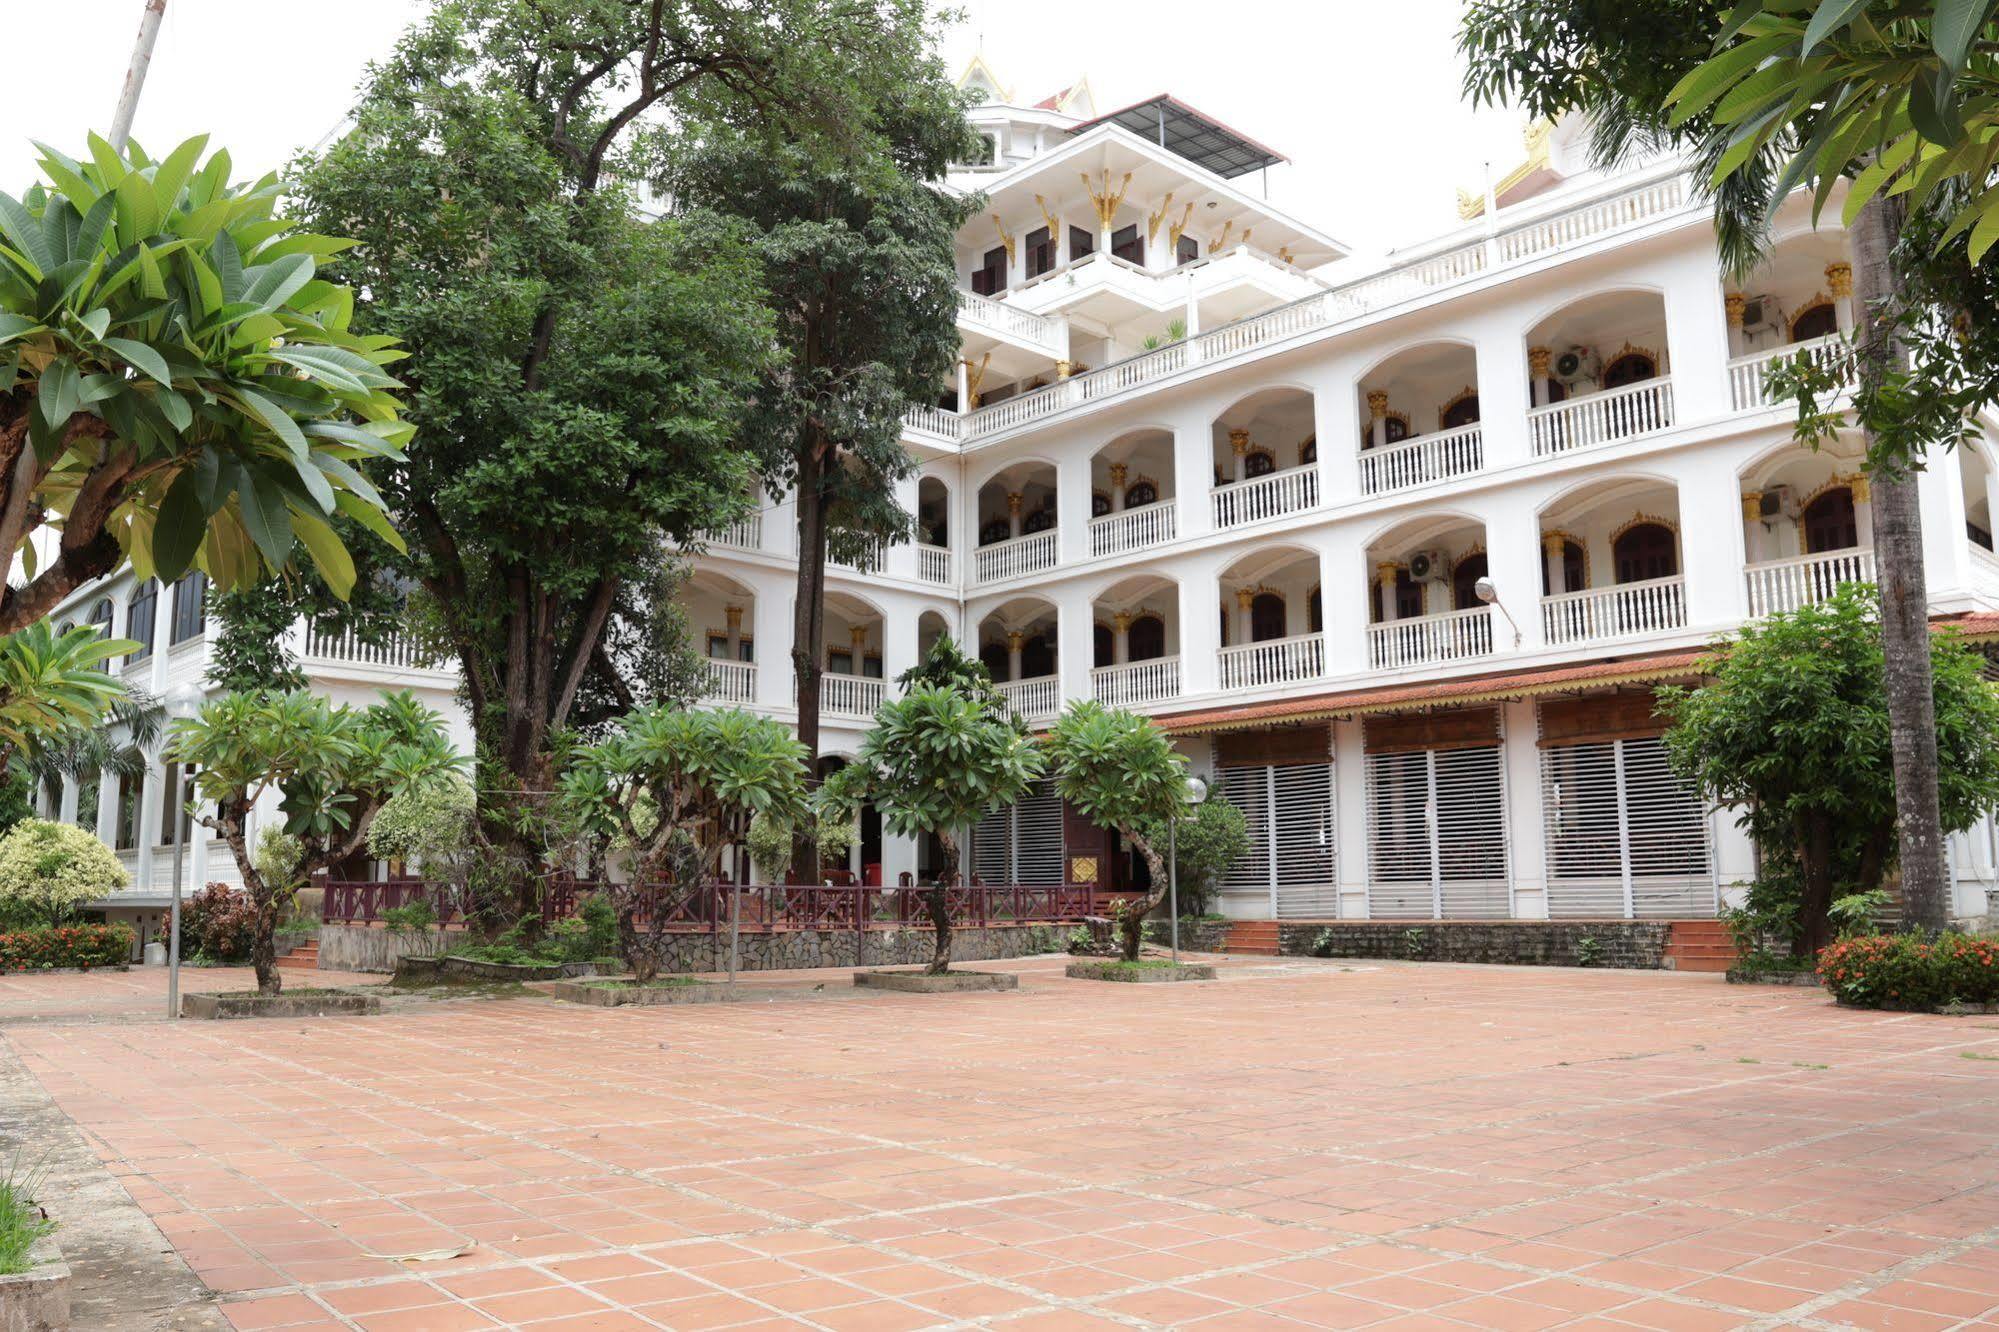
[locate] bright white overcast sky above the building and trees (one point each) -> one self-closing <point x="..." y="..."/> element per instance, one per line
<point x="1360" y="95"/>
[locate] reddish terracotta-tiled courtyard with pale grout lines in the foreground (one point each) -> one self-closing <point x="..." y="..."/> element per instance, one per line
<point x="1298" y="1145"/>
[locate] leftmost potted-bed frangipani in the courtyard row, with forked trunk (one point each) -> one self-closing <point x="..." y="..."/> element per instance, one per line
<point x="333" y="767"/>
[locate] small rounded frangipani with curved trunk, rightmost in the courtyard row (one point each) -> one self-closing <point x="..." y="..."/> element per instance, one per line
<point x="1122" y="773"/>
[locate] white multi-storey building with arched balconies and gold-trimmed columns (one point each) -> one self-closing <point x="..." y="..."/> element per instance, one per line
<point x="1202" y="465"/>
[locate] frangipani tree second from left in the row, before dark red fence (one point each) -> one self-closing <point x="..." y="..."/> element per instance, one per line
<point x="673" y="791"/>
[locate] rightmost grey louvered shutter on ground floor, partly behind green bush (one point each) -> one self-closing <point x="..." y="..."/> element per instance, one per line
<point x="1624" y="835"/>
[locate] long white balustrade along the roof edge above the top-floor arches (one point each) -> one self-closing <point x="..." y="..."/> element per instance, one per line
<point x="1542" y="229"/>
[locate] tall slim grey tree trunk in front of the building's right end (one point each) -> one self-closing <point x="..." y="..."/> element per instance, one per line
<point x="1912" y="701"/>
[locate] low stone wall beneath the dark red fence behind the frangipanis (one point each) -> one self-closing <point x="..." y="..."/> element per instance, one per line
<point x="371" y="949"/>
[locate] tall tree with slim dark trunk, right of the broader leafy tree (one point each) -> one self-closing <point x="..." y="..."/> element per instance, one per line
<point x="859" y="257"/>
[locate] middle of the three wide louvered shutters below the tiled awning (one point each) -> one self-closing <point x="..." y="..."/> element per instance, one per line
<point x="1436" y="835"/>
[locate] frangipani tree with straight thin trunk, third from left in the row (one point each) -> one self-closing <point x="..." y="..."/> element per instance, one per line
<point x="933" y="765"/>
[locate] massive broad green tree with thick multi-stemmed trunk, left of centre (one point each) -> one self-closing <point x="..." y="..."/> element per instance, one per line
<point x="579" y="371"/>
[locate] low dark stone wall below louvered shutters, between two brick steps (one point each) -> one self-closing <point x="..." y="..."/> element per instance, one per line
<point x="1524" y="943"/>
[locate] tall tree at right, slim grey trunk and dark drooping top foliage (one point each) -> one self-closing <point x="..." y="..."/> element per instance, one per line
<point x="1630" y="65"/>
